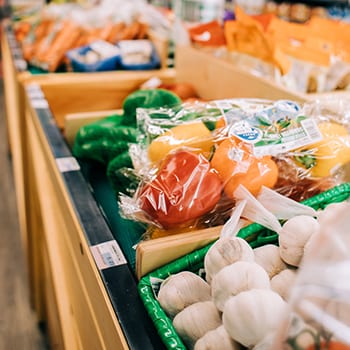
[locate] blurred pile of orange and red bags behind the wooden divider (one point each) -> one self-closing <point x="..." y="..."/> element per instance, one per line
<point x="276" y="49"/>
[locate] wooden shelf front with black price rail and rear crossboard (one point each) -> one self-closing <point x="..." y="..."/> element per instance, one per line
<point x="81" y="285"/>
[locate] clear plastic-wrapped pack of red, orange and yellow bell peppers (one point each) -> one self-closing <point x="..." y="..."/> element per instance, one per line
<point x="297" y="150"/>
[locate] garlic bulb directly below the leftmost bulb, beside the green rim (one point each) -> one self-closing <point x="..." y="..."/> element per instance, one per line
<point x="196" y="320"/>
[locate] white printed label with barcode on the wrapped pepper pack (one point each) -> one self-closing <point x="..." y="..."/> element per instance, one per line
<point x="272" y="127"/>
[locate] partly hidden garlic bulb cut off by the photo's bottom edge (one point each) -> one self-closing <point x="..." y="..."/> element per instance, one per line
<point x="216" y="339"/>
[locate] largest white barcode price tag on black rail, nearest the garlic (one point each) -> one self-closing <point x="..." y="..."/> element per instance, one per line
<point x="108" y="254"/>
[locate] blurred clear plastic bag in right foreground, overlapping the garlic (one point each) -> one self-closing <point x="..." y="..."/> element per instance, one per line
<point x="319" y="302"/>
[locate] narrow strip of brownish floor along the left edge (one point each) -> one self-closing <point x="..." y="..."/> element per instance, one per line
<point x="18" y="325"/>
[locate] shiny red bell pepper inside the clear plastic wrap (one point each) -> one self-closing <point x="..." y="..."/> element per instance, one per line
<point x="184" y="189"/>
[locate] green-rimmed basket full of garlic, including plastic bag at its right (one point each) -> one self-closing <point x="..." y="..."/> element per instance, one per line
<point x="247" y="316"/>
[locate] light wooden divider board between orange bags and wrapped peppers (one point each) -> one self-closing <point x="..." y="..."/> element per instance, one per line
<point x="215" y="78"/>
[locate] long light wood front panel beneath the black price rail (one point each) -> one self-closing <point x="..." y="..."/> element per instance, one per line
<point x="85" y="314"/>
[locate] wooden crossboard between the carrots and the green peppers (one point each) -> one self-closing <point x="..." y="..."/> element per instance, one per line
<point x="69" y="93"/>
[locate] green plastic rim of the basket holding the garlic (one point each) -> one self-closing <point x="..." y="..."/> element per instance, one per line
<point x="255" y="234"/>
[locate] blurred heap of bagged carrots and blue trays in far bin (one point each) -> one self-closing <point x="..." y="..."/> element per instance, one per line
<point x="74" y="37"/>
